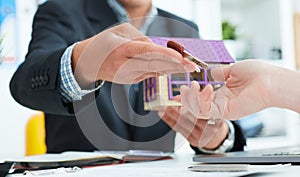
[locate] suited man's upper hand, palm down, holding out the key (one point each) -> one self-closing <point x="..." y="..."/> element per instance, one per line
<point x="124" y="55"/>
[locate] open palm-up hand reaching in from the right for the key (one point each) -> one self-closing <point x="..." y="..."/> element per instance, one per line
<point x="246" y="91"/>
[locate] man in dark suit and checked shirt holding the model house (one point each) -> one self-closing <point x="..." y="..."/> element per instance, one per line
<point x="79" y="68"/>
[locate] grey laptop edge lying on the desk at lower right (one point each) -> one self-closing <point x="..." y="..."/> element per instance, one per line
<point x="265" y="156"/>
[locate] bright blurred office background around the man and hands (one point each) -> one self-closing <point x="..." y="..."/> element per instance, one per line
<point x="260" y="29"/>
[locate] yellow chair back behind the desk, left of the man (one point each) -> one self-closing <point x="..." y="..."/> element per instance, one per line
<point x="35" y="135"/>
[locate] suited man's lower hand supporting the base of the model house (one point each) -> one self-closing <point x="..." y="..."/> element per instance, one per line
<point x="196" y="131"/>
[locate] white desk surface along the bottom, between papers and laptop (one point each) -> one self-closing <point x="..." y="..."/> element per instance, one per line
<point x="176" y="167"/>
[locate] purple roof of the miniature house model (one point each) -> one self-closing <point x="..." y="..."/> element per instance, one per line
<point x="209" y="51"/>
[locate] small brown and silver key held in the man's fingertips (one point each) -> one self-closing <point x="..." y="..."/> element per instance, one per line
<point x="179" y="48"/>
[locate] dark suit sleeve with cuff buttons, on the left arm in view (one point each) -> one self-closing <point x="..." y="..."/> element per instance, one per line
<point x="35" y="84"/>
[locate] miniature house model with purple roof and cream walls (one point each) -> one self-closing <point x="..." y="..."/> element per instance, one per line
<point x="160" y="91"/>
